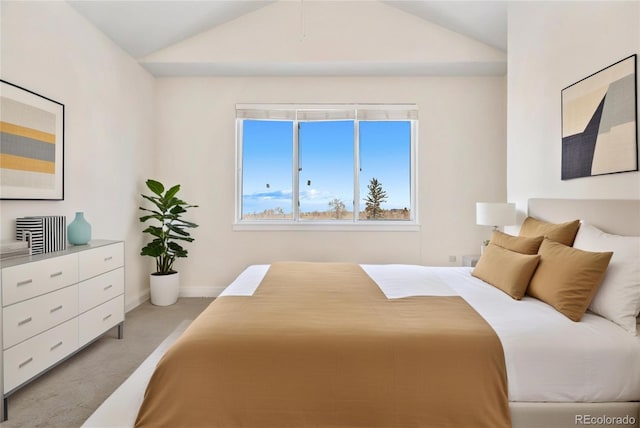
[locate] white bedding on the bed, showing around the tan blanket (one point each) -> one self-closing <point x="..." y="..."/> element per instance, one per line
<point x="548" y="356"/>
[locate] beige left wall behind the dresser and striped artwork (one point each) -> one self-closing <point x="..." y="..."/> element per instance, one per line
<point x="50" y="49"/>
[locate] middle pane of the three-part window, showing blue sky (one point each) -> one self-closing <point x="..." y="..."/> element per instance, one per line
<point x="325" y="152"/>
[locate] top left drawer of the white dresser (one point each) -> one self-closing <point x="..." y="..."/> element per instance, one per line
<point x="28" y="280"/>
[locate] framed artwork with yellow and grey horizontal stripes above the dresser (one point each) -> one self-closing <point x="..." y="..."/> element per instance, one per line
<point x="31" y="145"/>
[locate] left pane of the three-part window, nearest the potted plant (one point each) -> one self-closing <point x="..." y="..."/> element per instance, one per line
<point x="267" y="159"/>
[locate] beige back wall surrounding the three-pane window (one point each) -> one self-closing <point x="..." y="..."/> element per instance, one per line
<point x="461" y="161"/>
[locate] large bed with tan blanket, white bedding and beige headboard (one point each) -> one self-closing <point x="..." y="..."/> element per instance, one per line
<point x="551" y="371"/>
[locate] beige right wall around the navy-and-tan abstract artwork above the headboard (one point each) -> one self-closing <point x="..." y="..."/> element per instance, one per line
<point x="551" y="46"/>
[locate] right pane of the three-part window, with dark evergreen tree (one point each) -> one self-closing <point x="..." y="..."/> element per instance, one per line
<point x="385" y="156"/>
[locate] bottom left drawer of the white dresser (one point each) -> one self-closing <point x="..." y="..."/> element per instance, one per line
<point x="29" y="358"/>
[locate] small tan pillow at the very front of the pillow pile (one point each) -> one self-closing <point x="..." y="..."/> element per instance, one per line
<point x="506" y="270"/>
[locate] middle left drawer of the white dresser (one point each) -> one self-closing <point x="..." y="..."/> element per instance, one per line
<point x="26" y="319"/>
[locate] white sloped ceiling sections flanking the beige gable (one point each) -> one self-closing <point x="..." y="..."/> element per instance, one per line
<point x="142" y="27"/>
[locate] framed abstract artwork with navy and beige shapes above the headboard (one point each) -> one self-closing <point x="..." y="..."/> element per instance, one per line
<point x="599" y="122"/>
